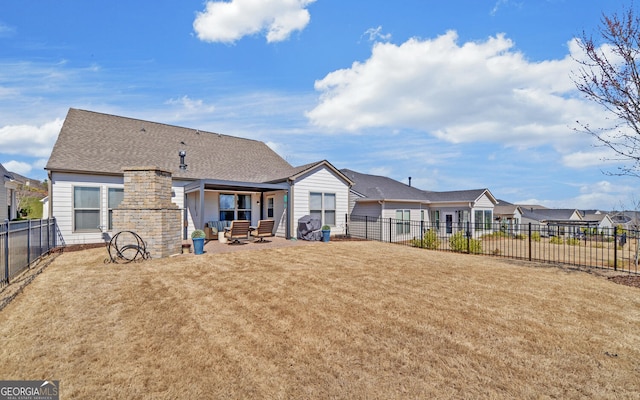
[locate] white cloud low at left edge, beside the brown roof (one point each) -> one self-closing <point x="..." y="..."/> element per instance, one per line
<point x="29" y="140"/>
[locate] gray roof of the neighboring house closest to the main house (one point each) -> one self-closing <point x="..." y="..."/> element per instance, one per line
<point x="376" y="187"/>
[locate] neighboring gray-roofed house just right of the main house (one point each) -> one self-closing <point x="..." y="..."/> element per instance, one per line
<point x="376" y="196"/>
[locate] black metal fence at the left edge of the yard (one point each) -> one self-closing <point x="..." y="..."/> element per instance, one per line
<point x="22" y="243"/>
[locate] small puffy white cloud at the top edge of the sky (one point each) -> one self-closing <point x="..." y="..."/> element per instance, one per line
<point x="227" y="22"/>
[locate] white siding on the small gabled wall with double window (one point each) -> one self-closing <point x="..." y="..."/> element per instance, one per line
<point x="321" y="181"/>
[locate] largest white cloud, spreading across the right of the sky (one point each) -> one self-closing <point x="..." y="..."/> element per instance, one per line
<point x="477" y="91"/>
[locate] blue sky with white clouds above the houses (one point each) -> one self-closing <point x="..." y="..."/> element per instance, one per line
<point x="456" y="94"/>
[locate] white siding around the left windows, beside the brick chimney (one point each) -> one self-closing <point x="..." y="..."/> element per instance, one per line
<point x="61" y="196"/>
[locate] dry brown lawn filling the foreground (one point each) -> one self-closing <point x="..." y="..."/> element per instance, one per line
<point x="356" y="320"/>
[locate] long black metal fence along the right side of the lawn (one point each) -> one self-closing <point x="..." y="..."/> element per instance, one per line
<point x="578" y="245"/>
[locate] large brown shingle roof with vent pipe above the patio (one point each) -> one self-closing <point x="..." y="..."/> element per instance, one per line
<point x="102" y="143"/>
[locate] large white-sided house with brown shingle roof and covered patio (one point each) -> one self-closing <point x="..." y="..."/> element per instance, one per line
<point x="214" y="177"/>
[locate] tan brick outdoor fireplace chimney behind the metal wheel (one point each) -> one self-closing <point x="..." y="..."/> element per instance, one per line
<point x="147" y="210"/>
